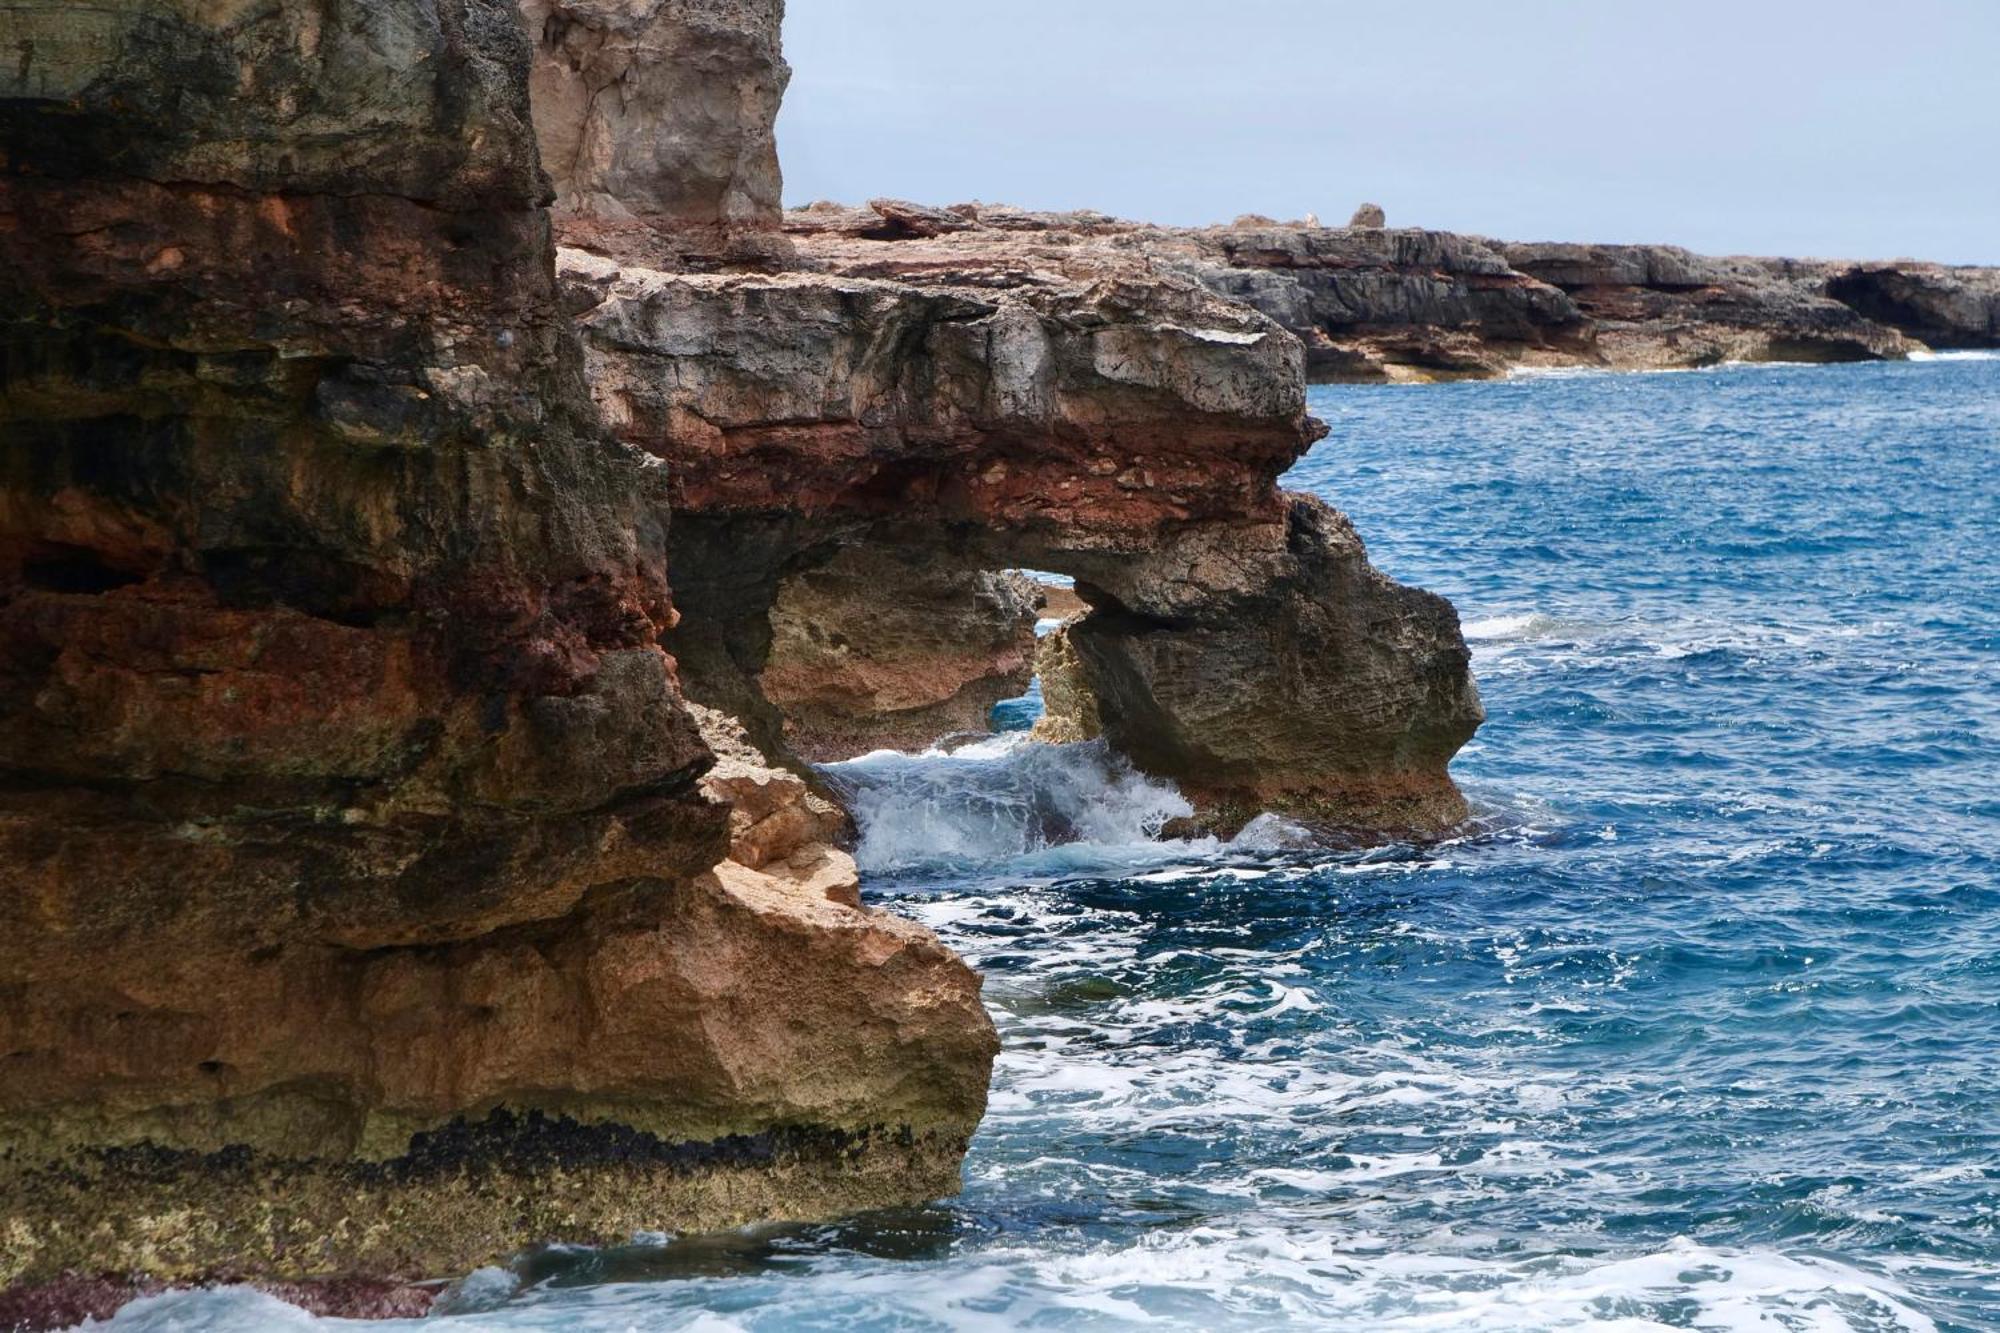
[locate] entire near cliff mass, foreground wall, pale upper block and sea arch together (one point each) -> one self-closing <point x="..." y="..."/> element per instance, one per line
<point x="409" y="850"/>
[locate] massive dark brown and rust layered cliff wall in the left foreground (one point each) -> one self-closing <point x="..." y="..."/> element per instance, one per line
<point x="373" y="902"/>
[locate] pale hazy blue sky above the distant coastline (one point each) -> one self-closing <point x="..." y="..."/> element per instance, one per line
<point x="1765" y="127"/>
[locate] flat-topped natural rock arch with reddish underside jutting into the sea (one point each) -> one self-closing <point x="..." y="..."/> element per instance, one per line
<point x="959" y="395"/>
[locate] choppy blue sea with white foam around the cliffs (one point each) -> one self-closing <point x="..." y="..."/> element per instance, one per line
<point x="1697" y="1028"/>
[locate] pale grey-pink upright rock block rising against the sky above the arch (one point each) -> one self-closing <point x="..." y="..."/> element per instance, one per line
<point x="655" y="121"/>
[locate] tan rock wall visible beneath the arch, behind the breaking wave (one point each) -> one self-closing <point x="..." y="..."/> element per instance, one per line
<point x="875" y="651"/>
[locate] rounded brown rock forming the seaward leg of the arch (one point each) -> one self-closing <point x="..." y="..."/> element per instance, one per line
<point x="1287" y="676"/>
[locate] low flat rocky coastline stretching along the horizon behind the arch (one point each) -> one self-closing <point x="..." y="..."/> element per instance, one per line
<point x="1373" y="303"/>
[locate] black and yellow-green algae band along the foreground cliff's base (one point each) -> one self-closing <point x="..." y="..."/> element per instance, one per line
<point x="457" y="1200"/>
